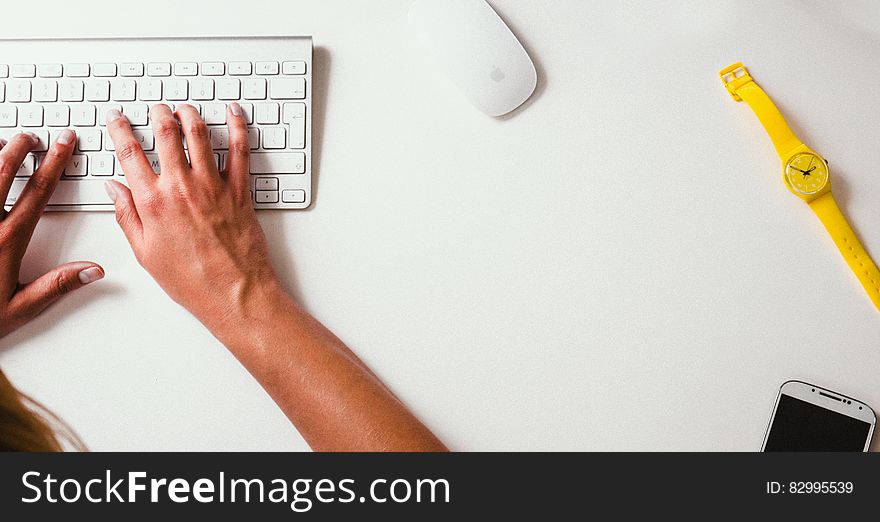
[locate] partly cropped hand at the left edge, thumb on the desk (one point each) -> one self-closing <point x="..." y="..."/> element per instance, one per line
<point x="19" y="303"/>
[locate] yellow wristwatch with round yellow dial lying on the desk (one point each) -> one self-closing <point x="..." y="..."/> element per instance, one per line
<point x="806" y="175"/>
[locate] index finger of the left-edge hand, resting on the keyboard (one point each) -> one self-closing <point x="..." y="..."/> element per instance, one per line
<point x="39" y="188"/>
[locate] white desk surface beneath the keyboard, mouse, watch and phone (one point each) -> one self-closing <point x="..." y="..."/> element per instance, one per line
<point x="617" y="266"/>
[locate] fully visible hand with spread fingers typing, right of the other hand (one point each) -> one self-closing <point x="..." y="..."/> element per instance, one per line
<point x="192" y="227"/>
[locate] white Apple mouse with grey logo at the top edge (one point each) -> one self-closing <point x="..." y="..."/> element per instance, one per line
<point x="476" y="49"/>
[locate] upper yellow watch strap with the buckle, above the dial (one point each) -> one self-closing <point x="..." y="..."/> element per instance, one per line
<point x="741" y="86"/>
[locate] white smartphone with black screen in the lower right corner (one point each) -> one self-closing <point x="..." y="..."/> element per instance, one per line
<point x="810" y="418"/>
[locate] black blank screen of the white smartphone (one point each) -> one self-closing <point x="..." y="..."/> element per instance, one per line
<point x="801" y="426"/>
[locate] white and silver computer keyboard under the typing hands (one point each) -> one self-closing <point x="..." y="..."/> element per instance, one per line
<point x="49" y="85"/>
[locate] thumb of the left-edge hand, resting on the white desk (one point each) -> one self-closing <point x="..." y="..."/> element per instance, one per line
<point x="36" y="296"/>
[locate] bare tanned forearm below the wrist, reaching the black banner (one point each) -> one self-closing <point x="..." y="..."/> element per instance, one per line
<point x="333" y="399"/>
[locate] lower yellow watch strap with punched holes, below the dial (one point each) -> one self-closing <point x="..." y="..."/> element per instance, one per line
<point x="849" y="245"/>
